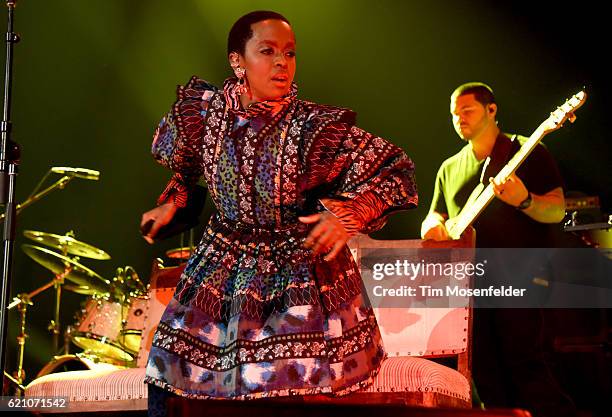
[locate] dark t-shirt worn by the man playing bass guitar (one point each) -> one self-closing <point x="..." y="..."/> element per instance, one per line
<point x="499" y="225"/>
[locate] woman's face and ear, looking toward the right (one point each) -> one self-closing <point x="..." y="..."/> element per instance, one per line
<point x="269" y="59"/>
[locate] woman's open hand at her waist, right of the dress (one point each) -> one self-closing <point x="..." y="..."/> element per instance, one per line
<point x="328" y="236"/>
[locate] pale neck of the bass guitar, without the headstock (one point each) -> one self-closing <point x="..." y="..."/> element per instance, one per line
<point x="470" y="213"/>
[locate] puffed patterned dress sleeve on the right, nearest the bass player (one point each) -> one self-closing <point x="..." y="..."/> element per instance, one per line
<point x="361" y="178"/>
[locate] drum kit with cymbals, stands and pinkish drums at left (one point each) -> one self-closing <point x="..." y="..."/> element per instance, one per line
<point x="108" y="327"/>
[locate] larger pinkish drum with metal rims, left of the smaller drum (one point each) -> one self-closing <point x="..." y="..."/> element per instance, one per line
<point x="99" y="328"/>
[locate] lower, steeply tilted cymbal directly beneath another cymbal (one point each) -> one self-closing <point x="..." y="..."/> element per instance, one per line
<point x="58" y="264"/>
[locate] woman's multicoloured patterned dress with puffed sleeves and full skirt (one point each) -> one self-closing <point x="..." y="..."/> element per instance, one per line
<point x="256" y="314"/>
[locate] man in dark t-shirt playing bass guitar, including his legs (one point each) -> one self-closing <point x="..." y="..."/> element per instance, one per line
<point x="508" y="365"/>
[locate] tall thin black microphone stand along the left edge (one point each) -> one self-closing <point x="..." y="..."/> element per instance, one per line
<point x="9" y="155"/>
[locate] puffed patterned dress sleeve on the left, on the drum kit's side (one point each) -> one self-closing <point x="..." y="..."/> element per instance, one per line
<point x="177" y="143"/>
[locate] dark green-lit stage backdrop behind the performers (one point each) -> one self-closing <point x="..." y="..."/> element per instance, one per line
<point x="92" y="78"/>
